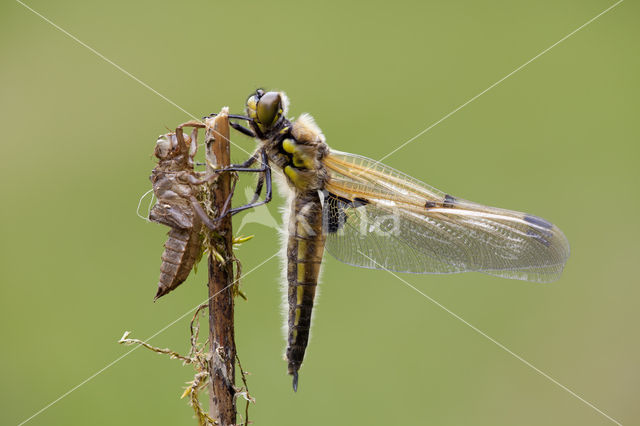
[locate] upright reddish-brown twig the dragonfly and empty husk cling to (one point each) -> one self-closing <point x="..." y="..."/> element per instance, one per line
<point x="221" y="325"/>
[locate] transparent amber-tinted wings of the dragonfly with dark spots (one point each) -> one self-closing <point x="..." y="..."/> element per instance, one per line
<point x="377" y="217"/>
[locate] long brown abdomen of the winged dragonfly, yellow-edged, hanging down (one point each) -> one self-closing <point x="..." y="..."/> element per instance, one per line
<point x="304" y="256"/>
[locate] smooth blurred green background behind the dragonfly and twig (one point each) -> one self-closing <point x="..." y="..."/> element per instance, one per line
<point x="557" y="139"/>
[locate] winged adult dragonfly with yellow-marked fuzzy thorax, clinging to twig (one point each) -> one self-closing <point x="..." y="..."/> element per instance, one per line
<point x="367" y="214"/>
